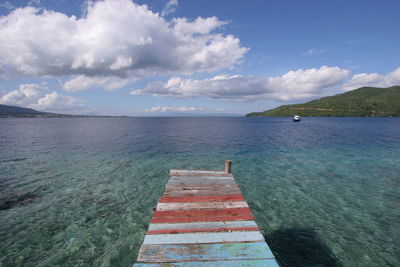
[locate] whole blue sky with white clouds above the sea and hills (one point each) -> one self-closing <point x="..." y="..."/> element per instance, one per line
<point x="176" y="57"/>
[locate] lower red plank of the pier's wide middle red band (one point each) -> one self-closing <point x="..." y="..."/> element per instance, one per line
<point x="203" y="219"/>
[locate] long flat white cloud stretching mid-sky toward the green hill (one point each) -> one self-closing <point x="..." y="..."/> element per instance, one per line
<point x="299" y="84"/>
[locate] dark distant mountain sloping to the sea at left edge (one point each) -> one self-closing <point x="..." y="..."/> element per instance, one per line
<point x="14" y="111"/>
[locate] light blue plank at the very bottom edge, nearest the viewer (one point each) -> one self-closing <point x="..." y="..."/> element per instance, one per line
<point x="231" y="263"/>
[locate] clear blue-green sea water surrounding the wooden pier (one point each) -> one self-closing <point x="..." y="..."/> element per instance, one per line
<point x="80" y="192"/>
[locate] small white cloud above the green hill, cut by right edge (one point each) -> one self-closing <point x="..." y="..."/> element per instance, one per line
<point x="373" y="79"/>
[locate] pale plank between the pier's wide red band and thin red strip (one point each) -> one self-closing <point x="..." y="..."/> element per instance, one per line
<point x="201" y="225"/>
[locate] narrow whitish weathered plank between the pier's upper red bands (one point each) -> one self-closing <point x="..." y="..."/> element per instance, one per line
<point x="208" y="205"/>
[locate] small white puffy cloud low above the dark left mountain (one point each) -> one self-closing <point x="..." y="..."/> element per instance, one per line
<point x="37" y="97"/>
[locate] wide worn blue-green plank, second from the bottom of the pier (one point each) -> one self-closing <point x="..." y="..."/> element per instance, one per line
<point x="204" y="252"/>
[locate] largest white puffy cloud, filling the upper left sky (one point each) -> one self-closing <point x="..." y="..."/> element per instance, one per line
<point x="116" y="38"/>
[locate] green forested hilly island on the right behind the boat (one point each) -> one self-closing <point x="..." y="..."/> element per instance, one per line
<point x="362" y="102"/>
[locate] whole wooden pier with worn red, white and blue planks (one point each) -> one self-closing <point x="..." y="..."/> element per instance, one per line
<point x="203" y="220"/>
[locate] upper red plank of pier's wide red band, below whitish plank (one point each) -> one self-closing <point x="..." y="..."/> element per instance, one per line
<point x="202" y="212"/>
